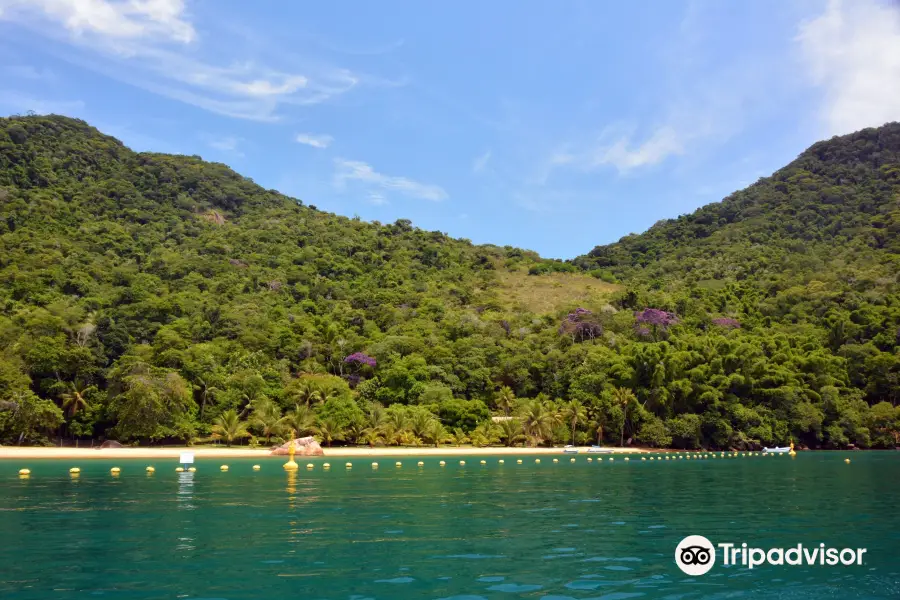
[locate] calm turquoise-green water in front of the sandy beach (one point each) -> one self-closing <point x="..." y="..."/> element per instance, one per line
<point x="604" y="530"/>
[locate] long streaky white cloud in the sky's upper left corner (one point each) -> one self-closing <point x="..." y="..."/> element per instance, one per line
<point x="153" y="44"/>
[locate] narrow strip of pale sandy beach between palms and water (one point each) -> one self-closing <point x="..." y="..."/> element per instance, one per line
<point x="200" y="452"/>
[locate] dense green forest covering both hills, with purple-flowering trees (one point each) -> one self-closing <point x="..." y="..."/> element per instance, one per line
<point x="150" y="298"/>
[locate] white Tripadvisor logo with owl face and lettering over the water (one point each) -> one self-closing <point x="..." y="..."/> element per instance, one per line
<point x="695" y="555"/>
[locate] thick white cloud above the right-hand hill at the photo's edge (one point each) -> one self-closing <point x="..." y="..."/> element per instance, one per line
<point x="852" y="51"/>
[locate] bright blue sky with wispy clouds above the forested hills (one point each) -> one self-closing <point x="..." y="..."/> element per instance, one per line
<point x="554" y="126"/>
